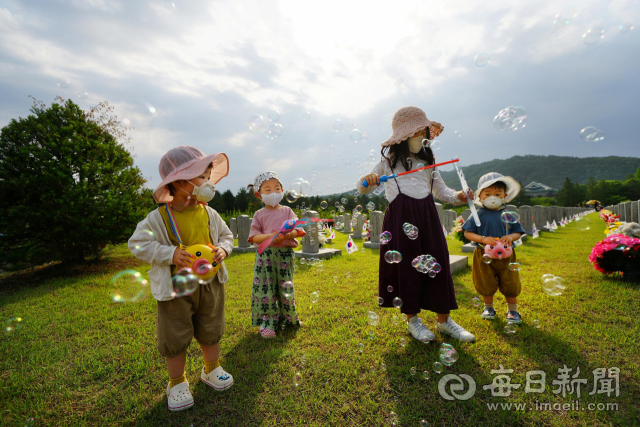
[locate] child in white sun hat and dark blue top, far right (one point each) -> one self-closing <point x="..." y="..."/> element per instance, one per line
<point x="495" y="266"/>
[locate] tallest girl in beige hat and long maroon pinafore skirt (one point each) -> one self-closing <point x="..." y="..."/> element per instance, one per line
<point x="411" y="201"/>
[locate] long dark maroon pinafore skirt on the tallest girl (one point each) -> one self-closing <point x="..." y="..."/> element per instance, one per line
<point x="416" y="290"/>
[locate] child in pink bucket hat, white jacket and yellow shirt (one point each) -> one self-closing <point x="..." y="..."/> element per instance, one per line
<point x="184" y="219"/>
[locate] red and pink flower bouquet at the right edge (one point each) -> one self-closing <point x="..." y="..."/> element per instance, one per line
<point x="617" y="253"/>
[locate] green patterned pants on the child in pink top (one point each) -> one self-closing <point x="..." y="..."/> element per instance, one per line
<point x="272" y="301"/>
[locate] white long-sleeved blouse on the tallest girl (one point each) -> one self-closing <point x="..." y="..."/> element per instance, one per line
<point x="416" y="185"/>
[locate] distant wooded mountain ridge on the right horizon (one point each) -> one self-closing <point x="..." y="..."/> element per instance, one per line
<point x="548" y="170"/>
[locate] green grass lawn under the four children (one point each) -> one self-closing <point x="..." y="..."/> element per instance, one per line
<point x="81" y="359"/>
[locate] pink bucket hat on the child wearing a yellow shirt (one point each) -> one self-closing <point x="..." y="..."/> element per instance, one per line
<point x="187" y="163"/>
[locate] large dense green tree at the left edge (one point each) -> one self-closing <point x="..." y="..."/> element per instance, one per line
<point x="68" y="183"/>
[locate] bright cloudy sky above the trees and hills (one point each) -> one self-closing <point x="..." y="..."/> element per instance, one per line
<point x="190" y="72"/>
